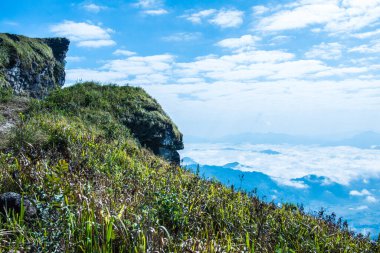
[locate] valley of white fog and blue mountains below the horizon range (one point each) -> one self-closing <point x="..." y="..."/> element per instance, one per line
<point x="344" y="180"/>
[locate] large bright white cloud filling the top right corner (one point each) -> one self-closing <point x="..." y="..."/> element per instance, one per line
<point x="330" y="15"/>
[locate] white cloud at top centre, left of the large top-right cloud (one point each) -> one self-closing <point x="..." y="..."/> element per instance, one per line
<point x="224" y="18"/>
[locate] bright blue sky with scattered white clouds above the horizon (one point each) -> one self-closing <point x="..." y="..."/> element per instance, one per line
<point x="304" y="67"/>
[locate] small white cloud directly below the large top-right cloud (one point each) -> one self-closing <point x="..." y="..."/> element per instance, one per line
<point x="326" y="51"/>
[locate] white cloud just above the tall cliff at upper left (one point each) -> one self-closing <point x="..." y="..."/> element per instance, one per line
<point x="85" y="34"/>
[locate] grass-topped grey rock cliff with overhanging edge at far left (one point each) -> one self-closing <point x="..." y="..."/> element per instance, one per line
<point x="32" y="67"/>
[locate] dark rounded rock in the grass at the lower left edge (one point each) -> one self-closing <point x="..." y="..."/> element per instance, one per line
<point x="11" y="201"/>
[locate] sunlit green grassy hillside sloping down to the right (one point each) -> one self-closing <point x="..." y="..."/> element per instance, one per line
<point x="97" y="190"/>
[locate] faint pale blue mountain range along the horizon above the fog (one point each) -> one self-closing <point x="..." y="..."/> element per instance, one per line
<point x="366" y="140"/>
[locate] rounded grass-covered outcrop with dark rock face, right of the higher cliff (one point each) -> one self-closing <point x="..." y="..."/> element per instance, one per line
<point x="131" y="107"/>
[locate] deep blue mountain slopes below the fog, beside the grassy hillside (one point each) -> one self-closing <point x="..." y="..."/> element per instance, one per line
<point x="353" y="202"/>
